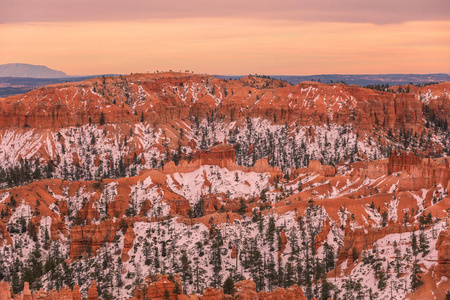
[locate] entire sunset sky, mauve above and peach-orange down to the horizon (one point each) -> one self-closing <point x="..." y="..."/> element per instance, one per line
<point x="233" y="37"/>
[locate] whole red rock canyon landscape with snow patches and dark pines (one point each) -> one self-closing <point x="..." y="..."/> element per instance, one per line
<point x="340" y="190"/>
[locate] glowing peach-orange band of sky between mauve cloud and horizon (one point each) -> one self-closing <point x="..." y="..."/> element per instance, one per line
<point x="229" y="46"/>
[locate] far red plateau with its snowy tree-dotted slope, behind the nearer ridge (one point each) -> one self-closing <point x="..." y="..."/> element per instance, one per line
<point x="116" y="126"/>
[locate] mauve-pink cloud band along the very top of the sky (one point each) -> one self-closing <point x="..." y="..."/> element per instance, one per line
<point x="360" y="11"/>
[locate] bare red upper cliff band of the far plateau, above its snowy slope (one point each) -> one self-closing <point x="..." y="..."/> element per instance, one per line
<point x="168" y="96"/>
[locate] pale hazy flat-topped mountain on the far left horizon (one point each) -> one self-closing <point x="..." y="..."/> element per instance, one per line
<point x="28" y="70"/>
